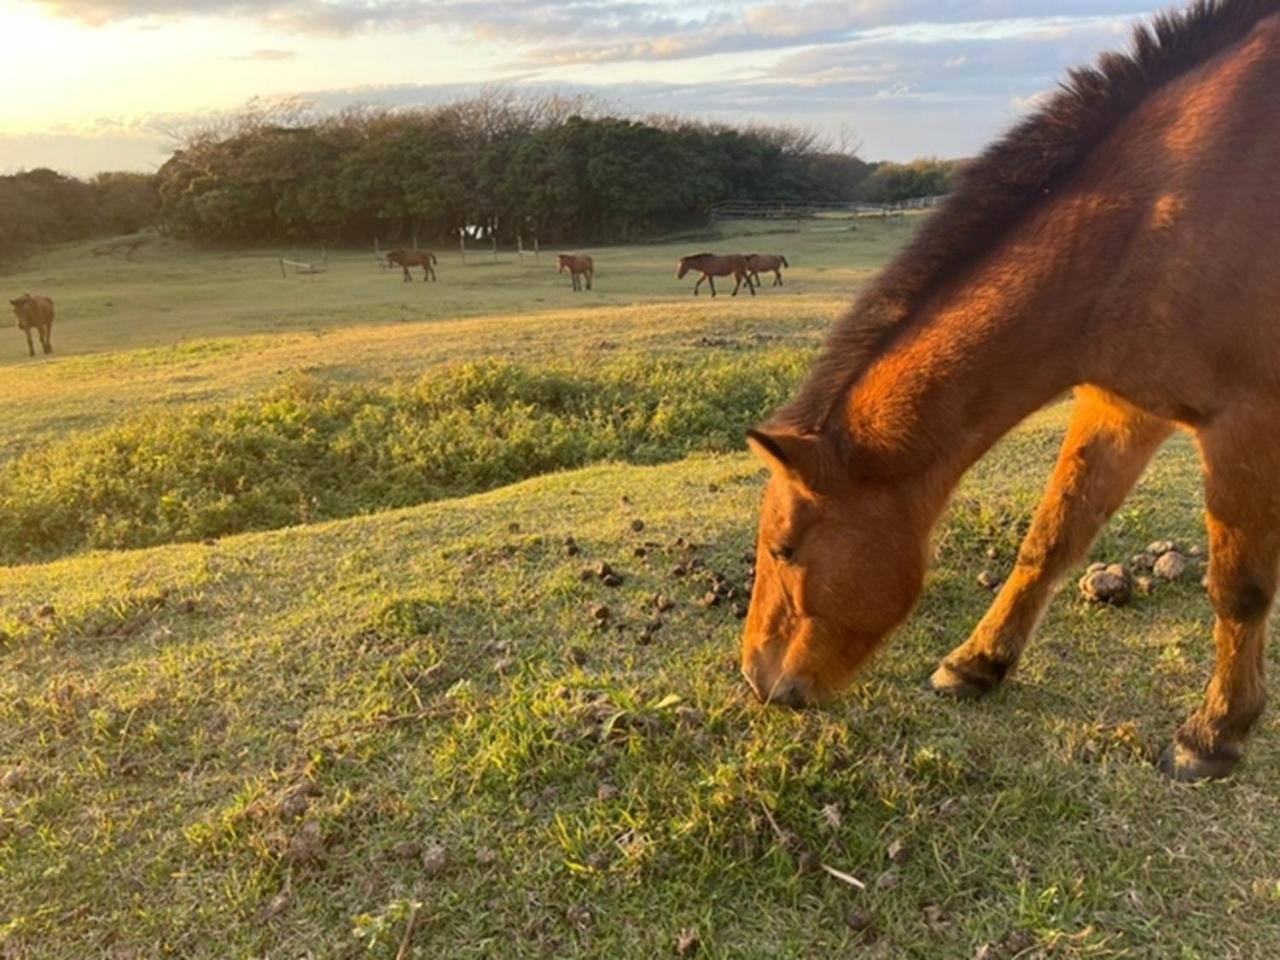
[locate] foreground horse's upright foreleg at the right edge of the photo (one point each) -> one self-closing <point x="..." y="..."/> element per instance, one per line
<point x="1244" y="510"/>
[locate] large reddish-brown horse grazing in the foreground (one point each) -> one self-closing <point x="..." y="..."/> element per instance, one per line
<point x="1109" y="244"/>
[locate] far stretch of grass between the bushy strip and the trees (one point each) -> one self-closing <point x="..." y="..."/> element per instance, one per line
<point x="179" y="327"/>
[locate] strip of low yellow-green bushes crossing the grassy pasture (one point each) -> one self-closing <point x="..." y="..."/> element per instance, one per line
<point x="310" y="451"/>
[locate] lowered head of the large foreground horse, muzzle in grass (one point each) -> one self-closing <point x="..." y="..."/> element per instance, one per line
<point x="840" y="563"/>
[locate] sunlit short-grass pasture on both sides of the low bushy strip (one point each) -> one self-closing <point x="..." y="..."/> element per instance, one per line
<point x="405" y="734"/>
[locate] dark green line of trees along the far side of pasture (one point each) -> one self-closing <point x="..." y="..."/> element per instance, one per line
<point x="561" y="171"/>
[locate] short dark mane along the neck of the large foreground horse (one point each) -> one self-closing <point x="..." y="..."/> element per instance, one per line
<point x="1000" y="188"/>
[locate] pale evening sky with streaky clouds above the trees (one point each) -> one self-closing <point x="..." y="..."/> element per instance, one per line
<point x="115" y="85"/>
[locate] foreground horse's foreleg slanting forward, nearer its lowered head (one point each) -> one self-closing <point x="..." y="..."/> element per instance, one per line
<point x="1107" y="449"/>
